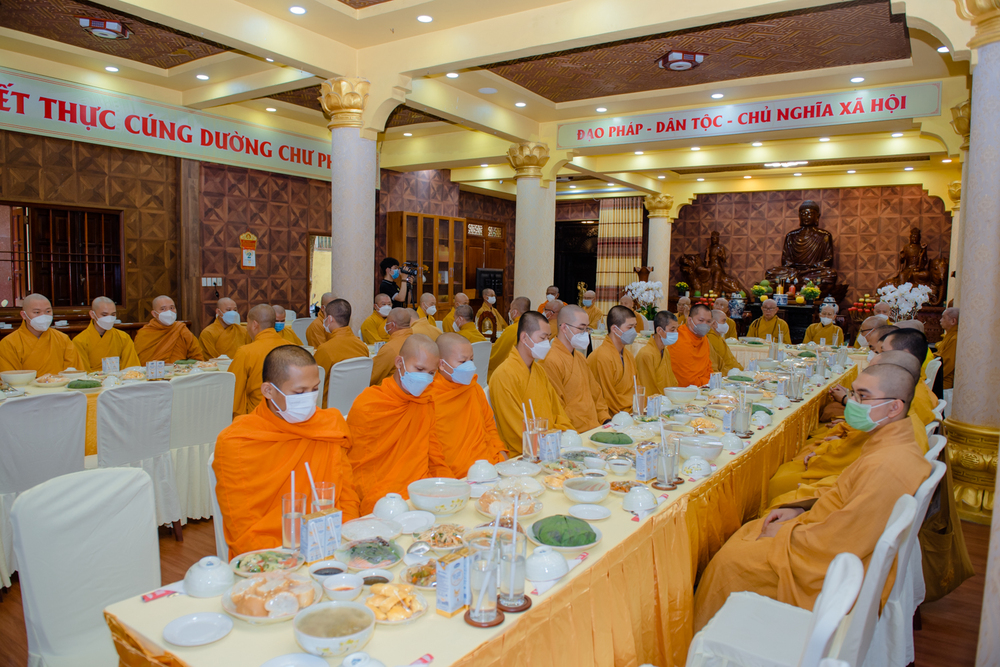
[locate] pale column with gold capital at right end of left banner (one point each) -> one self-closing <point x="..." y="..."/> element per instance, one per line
<point x="353" y="178"/>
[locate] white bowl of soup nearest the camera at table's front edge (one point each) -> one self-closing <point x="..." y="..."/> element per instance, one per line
<point x="334" y="628"/>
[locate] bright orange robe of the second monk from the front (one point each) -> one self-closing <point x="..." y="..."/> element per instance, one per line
<point x="394" y="442"/>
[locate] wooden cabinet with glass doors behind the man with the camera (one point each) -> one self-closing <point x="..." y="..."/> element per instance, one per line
<point x="436" y="243"/>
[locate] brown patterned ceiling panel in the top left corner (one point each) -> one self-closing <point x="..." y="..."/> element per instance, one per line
<point x="150" y="43"/>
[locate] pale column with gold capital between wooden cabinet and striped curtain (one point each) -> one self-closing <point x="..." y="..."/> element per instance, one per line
<point x="535" y="226"/>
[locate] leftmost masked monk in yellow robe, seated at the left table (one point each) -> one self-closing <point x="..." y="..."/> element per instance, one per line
<point x="35" y="346"/>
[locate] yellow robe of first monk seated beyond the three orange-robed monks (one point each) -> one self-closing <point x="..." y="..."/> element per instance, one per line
<point x="513" y="384"/>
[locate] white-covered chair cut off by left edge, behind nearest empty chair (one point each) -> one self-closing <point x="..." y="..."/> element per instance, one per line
<point x="41" y="437"/>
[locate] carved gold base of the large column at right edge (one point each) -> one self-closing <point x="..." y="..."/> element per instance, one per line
<point x="973" y="456"/>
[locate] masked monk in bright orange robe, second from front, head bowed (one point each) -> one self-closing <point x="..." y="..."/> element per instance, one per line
<point x="393" y="426"/>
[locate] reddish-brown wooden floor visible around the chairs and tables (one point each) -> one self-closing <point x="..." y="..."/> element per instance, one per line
<point x="948" y="638"/>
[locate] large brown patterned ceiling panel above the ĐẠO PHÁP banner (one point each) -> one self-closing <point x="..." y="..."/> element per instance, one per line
<point x="836" y="35"/>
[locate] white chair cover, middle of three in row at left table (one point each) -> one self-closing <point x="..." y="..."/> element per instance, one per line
<point x="133" y="429"/>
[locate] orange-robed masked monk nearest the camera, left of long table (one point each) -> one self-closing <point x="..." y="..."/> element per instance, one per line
<point x="255" y="456"/>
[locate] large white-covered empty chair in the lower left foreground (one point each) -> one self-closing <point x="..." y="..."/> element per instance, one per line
<point x="102" y="522"/>
